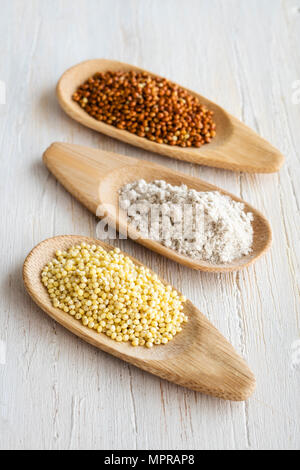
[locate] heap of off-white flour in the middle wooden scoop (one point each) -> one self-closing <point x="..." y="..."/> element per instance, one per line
<point x="200" y="225"/>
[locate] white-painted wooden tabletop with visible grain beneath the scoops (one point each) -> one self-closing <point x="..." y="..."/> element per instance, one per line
<point x="57" y="392"/>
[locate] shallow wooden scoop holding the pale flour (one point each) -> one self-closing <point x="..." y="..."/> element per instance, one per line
<point x="95" y="177"/>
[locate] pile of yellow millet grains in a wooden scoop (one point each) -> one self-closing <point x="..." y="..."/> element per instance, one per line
<point x="108" y="293"/>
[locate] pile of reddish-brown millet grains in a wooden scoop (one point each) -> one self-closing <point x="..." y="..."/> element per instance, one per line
<point x="147" y="106"/>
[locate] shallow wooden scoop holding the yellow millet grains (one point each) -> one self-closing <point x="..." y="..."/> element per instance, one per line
<point x="199" y="357"/>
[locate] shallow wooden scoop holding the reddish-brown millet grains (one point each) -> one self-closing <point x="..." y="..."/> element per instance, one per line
<point x="236" y="146"/>
